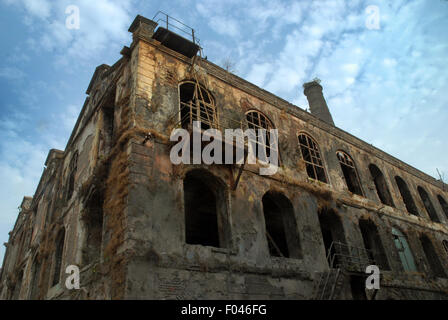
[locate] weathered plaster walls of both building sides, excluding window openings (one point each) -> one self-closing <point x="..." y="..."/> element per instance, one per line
<point x="143" y="252"/>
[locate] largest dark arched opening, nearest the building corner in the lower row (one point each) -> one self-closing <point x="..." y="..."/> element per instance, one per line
<point x="205" y="204"/>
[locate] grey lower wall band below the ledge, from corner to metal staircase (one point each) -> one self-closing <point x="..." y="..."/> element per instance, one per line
<point x="191" y="285"/>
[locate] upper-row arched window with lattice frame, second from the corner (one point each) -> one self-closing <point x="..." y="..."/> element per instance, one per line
<point x="257" y="121"/>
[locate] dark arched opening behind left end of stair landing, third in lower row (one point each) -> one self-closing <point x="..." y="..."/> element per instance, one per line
<point x="332" y="231"/>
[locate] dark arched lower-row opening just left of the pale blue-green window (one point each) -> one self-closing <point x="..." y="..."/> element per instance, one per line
<point x="373" y="244"/>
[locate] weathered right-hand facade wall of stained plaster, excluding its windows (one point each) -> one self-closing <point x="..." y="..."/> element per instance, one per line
<point x="156" y="217"/>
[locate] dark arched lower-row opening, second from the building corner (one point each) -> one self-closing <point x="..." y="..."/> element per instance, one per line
<point x="281" y="226"/>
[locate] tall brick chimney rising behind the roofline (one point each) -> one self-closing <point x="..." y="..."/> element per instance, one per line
<point x="316" y="100"/>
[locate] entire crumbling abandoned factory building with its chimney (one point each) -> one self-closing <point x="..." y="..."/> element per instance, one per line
<point x="140" y="227"/>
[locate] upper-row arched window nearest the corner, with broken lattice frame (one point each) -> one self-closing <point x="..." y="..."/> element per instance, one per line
<point x="196" y="104"/>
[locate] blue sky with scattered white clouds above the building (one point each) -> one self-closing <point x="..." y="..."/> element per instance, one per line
<point x="383" y="66"/>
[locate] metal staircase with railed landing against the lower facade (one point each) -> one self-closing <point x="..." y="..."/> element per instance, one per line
<point x="342" y="260"/>
